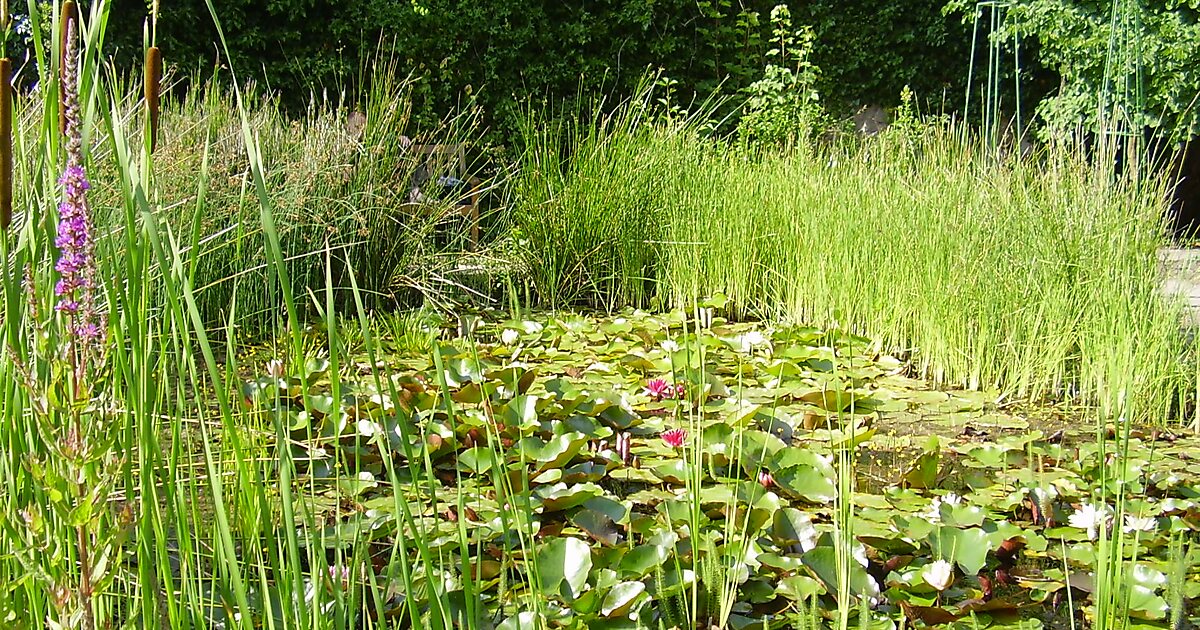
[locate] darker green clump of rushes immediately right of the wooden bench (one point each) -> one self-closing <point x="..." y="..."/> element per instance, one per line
<point x="590" y="202"/>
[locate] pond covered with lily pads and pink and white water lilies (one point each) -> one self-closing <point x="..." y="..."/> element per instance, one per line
<point x="657" y="471"/>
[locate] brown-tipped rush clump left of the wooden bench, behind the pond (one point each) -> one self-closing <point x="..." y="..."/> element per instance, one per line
<point x="340" y="177"/>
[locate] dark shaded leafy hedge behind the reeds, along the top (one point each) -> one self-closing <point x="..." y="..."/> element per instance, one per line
<point x="501" y="52"/>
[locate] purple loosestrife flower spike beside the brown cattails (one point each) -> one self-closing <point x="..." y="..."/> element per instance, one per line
<point x="76" y="289"/>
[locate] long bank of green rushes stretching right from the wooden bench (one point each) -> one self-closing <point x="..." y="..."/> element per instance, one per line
<point x="1033" y="275"/>
